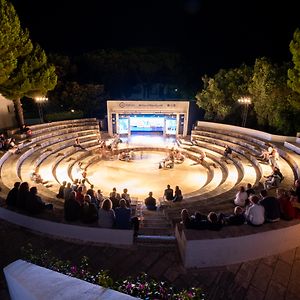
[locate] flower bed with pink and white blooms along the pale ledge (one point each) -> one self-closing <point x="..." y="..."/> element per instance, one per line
<point x="141" y="286"/>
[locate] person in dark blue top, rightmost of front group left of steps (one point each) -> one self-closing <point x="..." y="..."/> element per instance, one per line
<point x="124" y="219"/>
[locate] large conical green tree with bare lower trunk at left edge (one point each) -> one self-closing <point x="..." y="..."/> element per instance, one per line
<point x="24" y="70"/>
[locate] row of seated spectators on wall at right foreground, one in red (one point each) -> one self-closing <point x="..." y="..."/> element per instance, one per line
<point x="251" y="208"/>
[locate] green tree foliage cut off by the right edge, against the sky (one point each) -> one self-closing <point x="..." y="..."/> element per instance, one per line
<point x="294" y="73"/>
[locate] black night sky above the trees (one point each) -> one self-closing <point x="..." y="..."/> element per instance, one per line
<point x="212" y="34"/>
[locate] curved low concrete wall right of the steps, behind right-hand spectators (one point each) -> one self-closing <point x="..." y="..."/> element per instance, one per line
<point x="198" y="251"/>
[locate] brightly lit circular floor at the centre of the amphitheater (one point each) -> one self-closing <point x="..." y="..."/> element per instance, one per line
<point x="143" y="175"/>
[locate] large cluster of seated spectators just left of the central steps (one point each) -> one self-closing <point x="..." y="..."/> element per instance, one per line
<point x="90" y="206"/>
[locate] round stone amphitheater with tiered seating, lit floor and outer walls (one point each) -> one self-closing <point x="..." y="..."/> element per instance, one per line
<point x="210" y="186"/>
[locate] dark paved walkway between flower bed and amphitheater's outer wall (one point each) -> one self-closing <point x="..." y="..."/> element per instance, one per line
<point x="276" y="277"/>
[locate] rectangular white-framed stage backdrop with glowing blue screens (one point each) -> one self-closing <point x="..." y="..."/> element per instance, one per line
<point x="163" y="117"/>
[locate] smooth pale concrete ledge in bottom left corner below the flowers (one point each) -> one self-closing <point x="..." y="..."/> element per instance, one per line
<point x="27" y="281"/>
